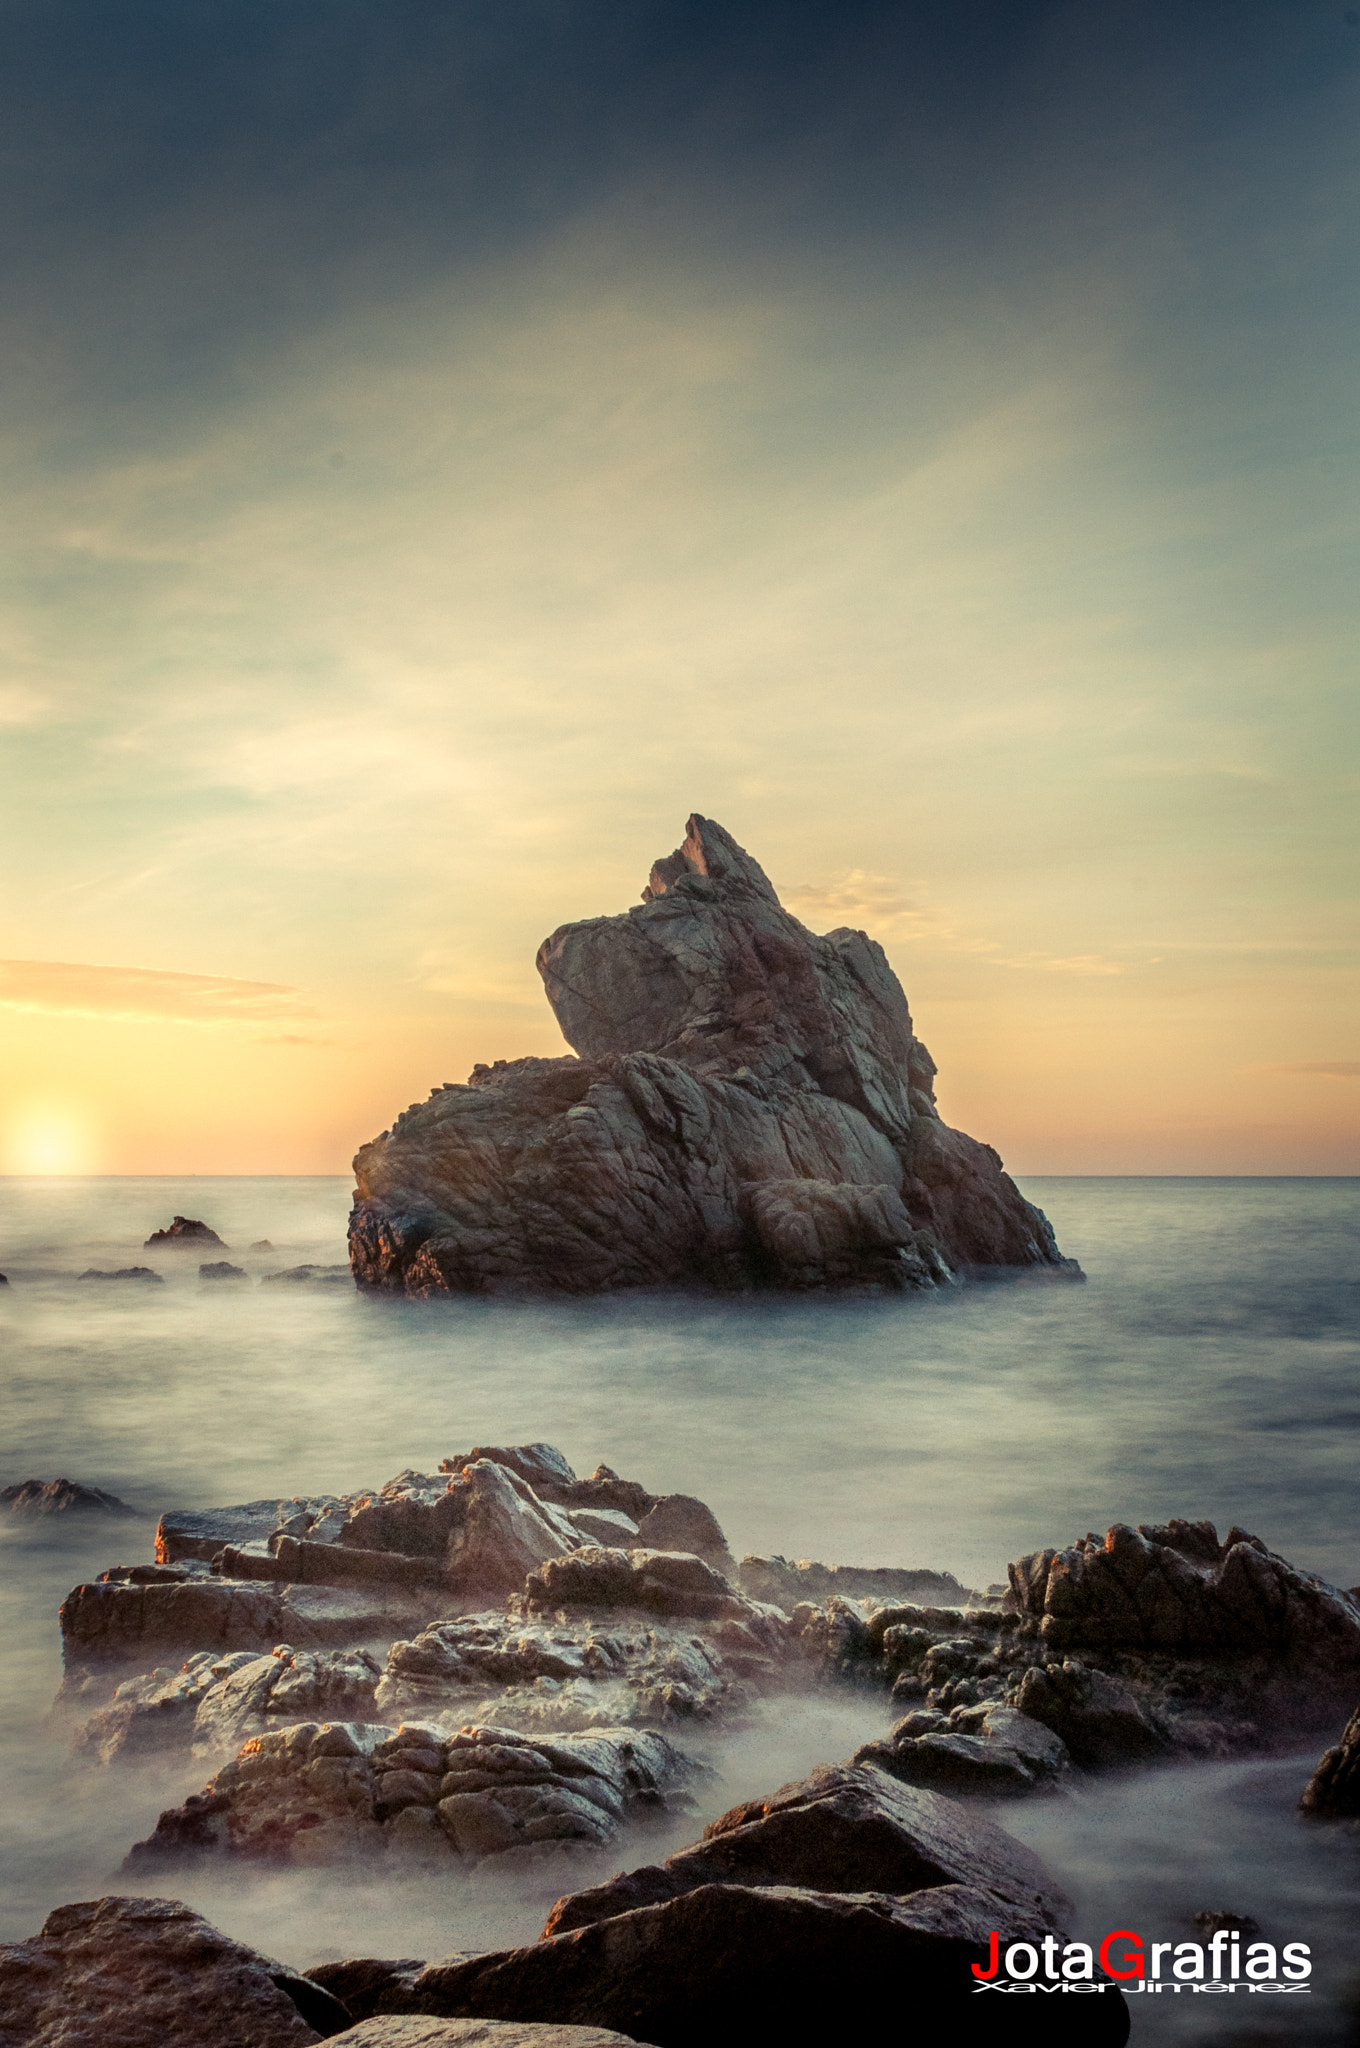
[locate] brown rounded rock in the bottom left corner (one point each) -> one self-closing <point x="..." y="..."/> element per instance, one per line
<point x="122" y="1973"/>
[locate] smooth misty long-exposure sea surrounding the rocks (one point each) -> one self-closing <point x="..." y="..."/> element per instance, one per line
<point x="1209" y="1367"/>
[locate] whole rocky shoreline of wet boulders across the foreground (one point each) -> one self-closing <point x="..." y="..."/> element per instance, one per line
<point x="503" y="1664"/>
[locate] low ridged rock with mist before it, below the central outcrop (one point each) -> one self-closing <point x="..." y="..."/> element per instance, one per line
<point x="341" y="1791"/>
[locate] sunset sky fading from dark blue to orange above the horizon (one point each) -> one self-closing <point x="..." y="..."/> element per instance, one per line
<point x="450" y="443"/>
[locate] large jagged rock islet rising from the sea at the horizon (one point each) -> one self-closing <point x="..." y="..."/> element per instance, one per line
<point x="749" y="1107"/>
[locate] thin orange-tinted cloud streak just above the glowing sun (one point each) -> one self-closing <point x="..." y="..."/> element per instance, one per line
<point x="144" y="992"/>
